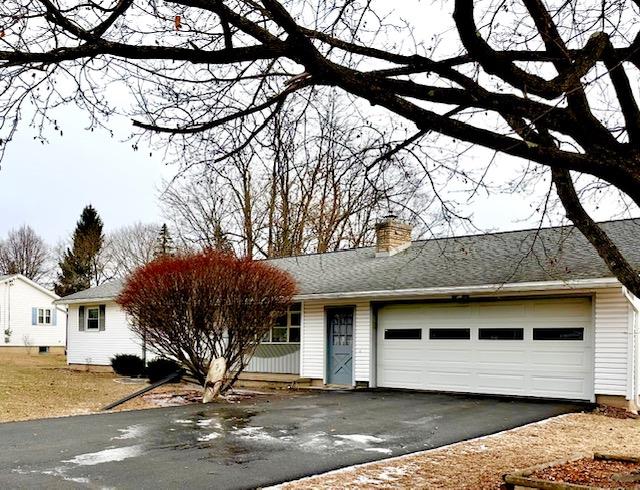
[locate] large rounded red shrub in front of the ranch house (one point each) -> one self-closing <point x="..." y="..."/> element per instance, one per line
<point x="197" y="308"/>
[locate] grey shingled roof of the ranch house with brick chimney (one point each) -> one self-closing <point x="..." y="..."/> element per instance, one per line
<point x="527" y="256"/>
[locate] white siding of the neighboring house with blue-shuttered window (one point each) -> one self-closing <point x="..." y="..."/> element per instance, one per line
<point x="16" y="303"/>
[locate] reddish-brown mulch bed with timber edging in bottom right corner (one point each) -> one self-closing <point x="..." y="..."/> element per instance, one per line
<point x="594" y="472"/>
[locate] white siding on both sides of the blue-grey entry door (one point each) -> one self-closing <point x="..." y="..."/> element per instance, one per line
<point x="313" y="350"/>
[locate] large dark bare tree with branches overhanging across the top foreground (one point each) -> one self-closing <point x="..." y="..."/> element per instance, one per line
<point x="552" y="83"/>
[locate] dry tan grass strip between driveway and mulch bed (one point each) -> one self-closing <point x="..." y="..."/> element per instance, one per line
<point x="480" y="463"/>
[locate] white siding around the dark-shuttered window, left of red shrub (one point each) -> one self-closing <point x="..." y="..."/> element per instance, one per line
<point x="92" y="347"/>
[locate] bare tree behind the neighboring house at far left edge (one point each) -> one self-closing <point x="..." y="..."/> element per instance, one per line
<point x="24" y="252"/>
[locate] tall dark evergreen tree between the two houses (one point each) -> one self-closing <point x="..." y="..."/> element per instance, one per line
<point x="79" y="268"/>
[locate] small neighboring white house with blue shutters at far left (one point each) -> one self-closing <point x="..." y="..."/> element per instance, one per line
<point x="29" y="317"/>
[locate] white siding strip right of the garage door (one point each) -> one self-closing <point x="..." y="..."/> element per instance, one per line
<point x="612" y="317"/>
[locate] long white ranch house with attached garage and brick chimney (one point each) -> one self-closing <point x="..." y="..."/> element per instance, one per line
<point x="526" y="313"/>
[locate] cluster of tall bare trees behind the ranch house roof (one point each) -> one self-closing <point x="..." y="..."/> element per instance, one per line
<point x="309" y="184"/>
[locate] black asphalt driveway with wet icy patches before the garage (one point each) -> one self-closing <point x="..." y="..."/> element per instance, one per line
<point x="251" y="444"/>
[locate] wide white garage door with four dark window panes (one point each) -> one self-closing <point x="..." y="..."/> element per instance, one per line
<point x="541" y="348"/>
